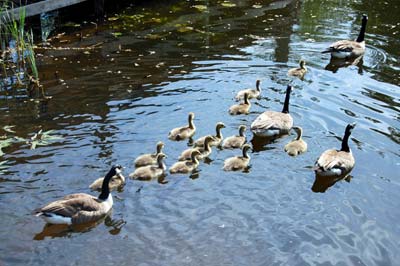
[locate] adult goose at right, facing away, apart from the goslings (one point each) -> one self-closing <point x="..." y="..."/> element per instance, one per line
<point x="336" y="163"/>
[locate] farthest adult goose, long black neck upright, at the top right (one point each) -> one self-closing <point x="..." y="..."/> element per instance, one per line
<point x="347" y="48"/>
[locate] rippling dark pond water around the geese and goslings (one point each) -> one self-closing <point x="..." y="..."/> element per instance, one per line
<point x="150" y="66"/>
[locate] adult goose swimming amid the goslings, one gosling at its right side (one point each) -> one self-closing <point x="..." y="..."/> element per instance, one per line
<point x="271" y="123"/>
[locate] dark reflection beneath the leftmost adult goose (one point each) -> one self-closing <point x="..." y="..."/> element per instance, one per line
<point x="64" y="230"/>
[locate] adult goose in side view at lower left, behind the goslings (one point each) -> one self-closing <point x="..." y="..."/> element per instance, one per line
<point x="81" y="207"/>
